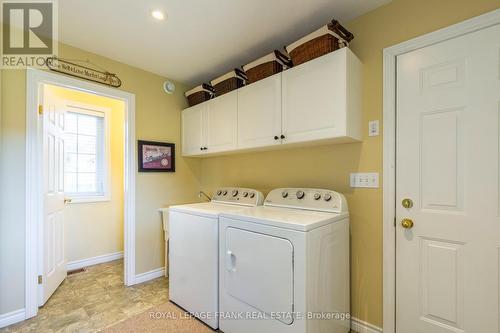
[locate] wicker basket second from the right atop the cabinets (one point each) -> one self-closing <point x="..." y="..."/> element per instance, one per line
<point x="266" y="66"/>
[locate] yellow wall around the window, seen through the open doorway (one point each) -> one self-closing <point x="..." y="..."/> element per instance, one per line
<point x="96" y="228"/>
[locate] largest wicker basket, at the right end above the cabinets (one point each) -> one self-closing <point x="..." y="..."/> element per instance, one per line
<point x="327" y="39"/>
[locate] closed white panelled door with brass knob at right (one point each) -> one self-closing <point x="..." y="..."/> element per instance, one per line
<point x="447" y="264"/>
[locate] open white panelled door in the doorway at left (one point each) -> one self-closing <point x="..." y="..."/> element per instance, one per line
<point x="54" y="256"/>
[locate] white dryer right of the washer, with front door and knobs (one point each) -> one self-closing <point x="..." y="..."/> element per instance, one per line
<point x="284" y="266"/>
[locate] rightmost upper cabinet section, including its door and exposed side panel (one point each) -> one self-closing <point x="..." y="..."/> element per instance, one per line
<point x="321" y="99"/>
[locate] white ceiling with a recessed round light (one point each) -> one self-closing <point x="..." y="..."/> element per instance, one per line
<point x="200" y="39"/>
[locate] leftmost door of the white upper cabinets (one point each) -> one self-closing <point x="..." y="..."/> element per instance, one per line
<point x="193" y="129"/>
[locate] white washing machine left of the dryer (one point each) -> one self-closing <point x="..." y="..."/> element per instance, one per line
<point x="194" y="250"/>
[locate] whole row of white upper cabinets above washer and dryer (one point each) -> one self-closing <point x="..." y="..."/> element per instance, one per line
<point x="318" y="101"/>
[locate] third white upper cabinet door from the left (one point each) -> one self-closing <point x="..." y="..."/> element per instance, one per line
<point x="259" y="113"/>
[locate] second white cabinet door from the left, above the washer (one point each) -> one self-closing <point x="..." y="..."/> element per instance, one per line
<point x="221" y="123"/>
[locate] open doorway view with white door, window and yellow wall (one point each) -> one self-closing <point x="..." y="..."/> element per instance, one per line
<point x="88" y="167"/>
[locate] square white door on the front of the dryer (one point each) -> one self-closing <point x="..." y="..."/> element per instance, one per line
<point x="259" y="271"/>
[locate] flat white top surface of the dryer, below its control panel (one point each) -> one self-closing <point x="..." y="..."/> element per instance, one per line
<point x="289" y="218"/>
